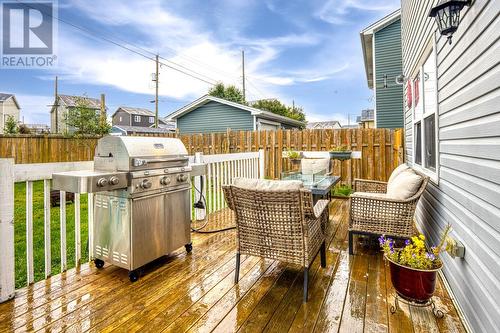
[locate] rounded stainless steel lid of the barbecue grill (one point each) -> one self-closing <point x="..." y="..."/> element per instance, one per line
<point x="128" y="153"/>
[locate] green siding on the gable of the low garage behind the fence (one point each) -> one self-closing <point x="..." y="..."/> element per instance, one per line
<point x="215" y="117"/>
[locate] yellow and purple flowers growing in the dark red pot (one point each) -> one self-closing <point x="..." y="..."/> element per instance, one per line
<point x="414" y="254"/>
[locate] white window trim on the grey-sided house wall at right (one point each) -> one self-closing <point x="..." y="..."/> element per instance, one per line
<point x="430" y="50"/>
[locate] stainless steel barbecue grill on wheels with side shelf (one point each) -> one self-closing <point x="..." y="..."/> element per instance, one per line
<point x="141" y="200"/>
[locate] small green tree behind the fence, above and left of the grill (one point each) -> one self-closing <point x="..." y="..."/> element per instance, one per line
<point x="86" y="120"/>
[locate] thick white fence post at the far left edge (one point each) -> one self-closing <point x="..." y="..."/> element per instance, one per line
<point x="7" y="285"/>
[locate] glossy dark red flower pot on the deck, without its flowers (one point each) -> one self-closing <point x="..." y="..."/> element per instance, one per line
<point x="416" y="285"/>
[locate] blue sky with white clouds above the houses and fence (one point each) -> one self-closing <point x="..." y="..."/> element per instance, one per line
<point x="307" y="51"/>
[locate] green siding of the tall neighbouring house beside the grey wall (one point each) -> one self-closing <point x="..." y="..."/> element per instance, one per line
<point x="388" y="61"/>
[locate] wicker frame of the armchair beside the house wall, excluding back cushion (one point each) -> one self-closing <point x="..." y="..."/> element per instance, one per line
<point x="371" y="214"/>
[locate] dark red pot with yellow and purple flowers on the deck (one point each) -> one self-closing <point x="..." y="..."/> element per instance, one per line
<point x="413" y="268"/>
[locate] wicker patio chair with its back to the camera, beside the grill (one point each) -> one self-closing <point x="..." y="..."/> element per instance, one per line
<point x="279" y="225"/>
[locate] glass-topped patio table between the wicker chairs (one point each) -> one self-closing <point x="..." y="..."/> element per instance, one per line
<point x="319" y="184"/>
